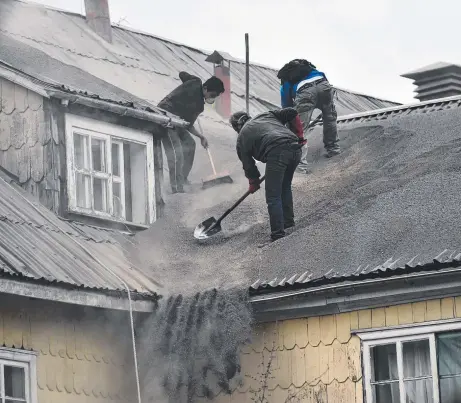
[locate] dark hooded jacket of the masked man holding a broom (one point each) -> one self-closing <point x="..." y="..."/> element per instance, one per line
<point x="185" y="101"/>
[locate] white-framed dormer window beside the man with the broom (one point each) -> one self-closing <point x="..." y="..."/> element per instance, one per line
<point x="110" y="171"/>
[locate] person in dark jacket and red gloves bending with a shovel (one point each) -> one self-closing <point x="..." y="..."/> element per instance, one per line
<point x="275" y="138"/>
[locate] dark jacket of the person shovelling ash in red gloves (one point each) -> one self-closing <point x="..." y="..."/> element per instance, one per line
<point x="262" y="134"/>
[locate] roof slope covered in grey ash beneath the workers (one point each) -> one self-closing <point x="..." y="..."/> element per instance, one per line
<point x="389" y="197"/>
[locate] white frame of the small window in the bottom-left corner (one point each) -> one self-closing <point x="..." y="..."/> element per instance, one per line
<point x="22" y="359"/>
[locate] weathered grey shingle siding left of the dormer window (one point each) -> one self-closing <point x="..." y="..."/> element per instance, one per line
<point x="28" y="142"/>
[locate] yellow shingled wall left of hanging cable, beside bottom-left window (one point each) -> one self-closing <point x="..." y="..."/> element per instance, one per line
<point x="81" y="352"/>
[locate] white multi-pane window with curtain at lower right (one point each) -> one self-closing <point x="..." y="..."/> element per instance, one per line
<point x="423" y="367"/>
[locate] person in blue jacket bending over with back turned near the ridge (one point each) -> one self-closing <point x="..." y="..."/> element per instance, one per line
<point x="305" y="88"/>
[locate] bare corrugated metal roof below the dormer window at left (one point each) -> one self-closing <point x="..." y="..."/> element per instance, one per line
<point x="36" y="244"/>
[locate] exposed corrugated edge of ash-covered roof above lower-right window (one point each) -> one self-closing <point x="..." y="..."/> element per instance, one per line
<point x="391" y="267"/>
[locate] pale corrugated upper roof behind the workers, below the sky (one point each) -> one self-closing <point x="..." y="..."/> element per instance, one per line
<point x="140" y="63"/>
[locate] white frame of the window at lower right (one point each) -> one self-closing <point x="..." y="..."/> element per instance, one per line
<point x="397" y="336"/>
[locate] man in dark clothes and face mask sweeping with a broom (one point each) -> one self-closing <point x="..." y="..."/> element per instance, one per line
<point x="186" y="101"/>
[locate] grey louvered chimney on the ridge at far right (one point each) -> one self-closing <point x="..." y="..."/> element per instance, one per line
<point x="438" y="80"/>
